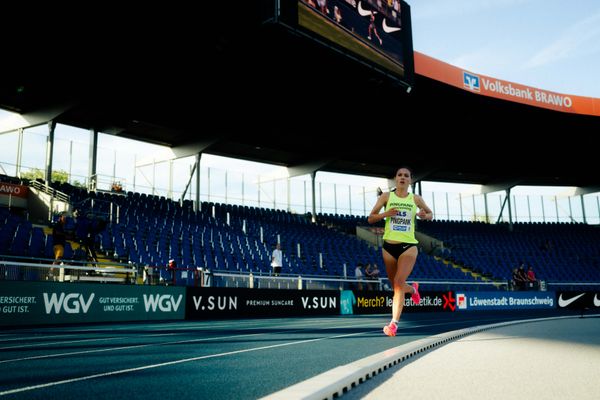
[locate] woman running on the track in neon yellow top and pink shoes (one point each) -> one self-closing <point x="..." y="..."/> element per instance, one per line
<point x="399" y="243"/>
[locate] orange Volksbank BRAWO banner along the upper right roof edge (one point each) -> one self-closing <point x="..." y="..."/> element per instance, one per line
<point x="505" y="90"/>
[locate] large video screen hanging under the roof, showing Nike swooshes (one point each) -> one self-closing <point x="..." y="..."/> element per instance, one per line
<point x="376" y="31"/>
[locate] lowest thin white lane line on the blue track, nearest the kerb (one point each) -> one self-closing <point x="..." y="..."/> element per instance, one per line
<point x="168" y="363"/>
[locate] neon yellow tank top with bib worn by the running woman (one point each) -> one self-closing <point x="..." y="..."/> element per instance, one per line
<point x="401" y="227"/>
